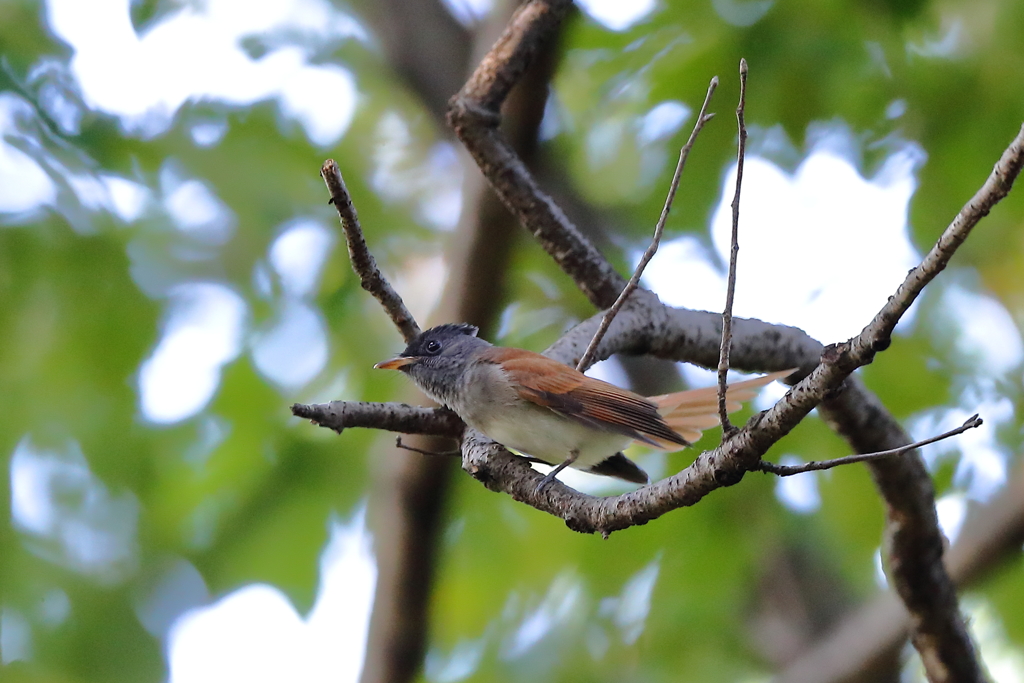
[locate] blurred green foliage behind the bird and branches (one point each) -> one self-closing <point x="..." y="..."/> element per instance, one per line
<point x="243" y="493"/>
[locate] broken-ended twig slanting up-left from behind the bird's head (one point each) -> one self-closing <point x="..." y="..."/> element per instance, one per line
<point x="363" y="262"/>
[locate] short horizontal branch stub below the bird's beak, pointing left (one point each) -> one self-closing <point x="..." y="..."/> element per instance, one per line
<point x="340" y="415"/>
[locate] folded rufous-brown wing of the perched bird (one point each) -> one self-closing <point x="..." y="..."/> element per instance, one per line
<point x="570" y="394"/>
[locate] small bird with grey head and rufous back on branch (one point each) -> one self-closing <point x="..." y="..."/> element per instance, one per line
<point x="552" y="413"/>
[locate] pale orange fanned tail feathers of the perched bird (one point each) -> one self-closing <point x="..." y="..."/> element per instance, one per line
<point x="689" y="413"/>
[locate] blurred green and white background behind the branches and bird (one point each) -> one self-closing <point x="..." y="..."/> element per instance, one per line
<point x="173" y="280"/>
